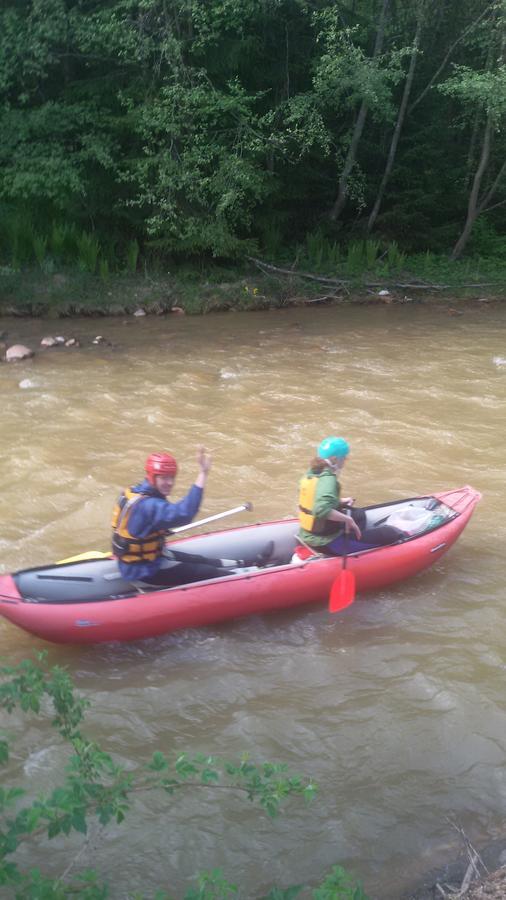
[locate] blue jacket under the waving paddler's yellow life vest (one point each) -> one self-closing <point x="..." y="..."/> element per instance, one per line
<point x="155" y="513"/>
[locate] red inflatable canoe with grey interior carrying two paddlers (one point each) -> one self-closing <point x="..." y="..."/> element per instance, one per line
<point x="88" y="601"/>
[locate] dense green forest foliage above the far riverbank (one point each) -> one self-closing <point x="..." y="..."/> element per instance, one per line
<point x="210" y="128"/>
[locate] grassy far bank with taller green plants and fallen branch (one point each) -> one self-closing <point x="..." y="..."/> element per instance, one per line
<point x="321" y="274"/>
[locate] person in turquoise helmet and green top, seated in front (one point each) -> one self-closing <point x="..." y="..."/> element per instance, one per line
<point x="329" y="523"/>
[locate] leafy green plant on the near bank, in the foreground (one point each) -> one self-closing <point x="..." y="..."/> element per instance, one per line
<point x="98" y="790"/>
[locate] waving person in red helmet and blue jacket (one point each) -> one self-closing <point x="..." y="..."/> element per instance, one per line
<point x="142" y="517"/>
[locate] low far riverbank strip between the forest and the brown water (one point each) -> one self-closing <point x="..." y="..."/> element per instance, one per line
<point x="64" y="294"/>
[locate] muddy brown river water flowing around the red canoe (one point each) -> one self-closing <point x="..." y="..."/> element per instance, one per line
<point x="396" y="706"/>
